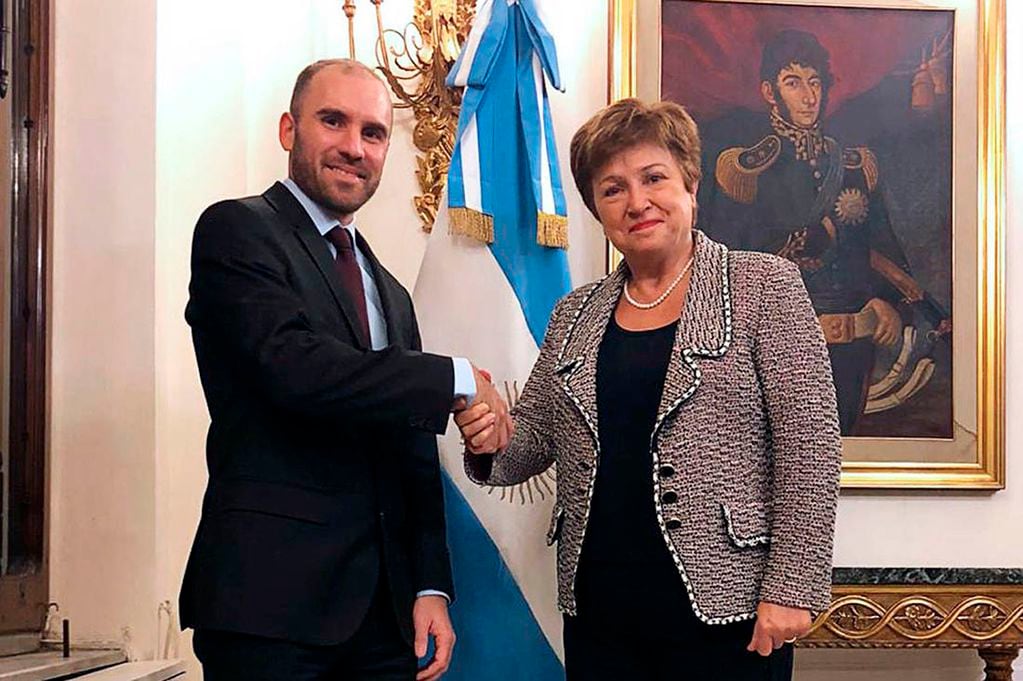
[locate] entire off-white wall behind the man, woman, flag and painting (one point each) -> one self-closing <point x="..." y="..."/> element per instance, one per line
<point x="160" y="114"/>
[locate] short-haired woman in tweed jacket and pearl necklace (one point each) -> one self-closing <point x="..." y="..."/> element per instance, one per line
<point x="688" y="401"/>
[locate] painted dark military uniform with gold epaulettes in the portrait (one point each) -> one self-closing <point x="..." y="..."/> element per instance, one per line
<point x="800" y="195"/>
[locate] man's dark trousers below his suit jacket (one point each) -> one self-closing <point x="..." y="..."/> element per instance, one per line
<point x="377" y="652"/>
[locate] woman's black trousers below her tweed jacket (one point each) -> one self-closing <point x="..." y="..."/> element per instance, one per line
<point x="636" y="622"/>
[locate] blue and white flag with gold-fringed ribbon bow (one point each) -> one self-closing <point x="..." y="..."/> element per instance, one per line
<point x="488" y="297"/>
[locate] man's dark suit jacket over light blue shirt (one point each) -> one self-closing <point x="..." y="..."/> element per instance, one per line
<point x="323" y="463"/>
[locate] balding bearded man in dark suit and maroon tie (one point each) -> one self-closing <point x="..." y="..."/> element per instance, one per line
<point x="321" y="553"/>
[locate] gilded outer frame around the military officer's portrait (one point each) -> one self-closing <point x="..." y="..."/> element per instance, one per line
<point x="988" y="473"/>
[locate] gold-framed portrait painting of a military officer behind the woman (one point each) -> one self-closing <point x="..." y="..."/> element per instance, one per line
<point x="863" y="141"/>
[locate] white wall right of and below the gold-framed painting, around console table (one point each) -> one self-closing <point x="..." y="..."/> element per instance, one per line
<point x="933" y="529"/>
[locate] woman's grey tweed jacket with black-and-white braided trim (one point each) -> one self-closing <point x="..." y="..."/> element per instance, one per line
<point x="745" y="452"/>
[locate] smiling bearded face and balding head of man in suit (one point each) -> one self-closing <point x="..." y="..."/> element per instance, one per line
<point x="339" y="140"/>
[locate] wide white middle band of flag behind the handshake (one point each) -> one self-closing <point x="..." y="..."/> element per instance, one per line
<point x="467" y="308"/>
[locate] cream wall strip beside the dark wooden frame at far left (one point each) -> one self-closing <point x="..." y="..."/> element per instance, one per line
<point x="103" y="321"/>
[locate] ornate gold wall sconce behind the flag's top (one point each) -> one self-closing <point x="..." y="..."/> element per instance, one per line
<point x="415" y="63"/>
